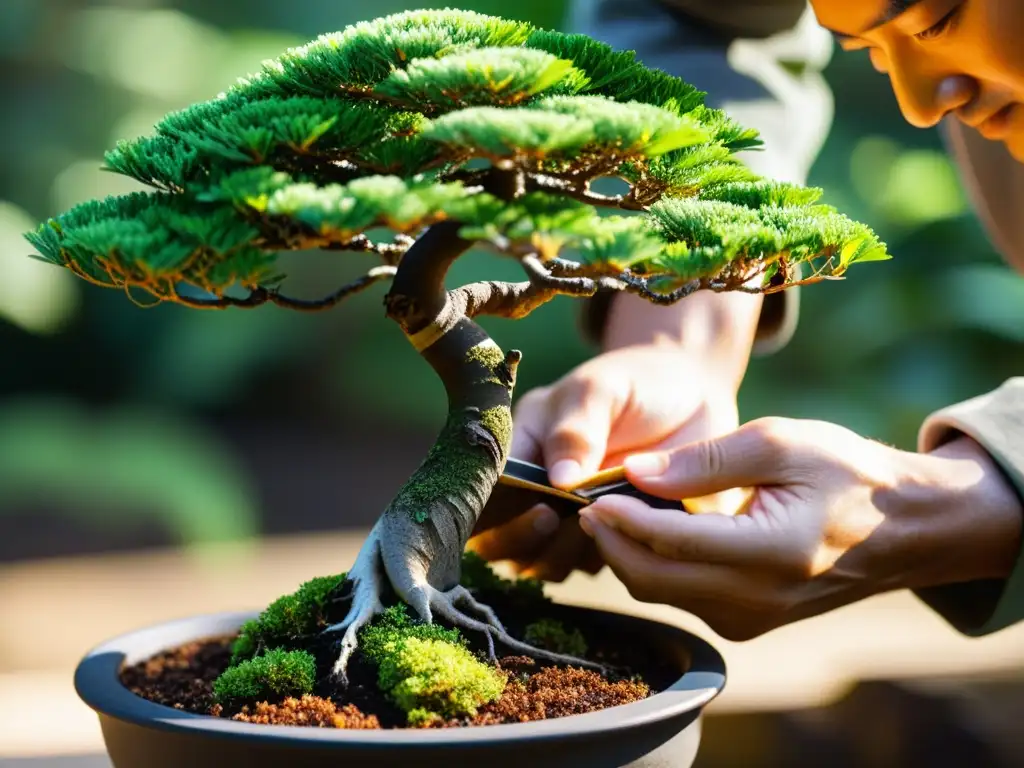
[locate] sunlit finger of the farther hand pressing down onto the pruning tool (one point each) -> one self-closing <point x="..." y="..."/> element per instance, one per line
<point x="576" y="438"/>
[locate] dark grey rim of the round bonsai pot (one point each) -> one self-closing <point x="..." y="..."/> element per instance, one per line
<point x="99" y="686"/>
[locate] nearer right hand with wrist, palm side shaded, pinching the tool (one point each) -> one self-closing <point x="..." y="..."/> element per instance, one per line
<point x="833" y="519"/>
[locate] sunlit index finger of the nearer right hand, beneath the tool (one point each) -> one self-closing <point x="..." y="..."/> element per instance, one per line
<point x="709" y="539"/>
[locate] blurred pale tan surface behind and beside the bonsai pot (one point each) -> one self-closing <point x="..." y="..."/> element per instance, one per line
<point x="56" y="611"/>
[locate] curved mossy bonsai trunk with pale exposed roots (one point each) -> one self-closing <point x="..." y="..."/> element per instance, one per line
<point x="418" y="542"/>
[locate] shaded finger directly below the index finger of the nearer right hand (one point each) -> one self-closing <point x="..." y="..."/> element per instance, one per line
<point x="651" y="578"/>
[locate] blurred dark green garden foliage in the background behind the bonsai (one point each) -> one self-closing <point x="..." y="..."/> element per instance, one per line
<point x="122" y="428"/>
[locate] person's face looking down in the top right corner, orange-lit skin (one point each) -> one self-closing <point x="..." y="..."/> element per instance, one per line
<point x="959" y="57"/>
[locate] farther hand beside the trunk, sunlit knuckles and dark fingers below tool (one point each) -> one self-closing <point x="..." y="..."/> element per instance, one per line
<point x="636" y="399"/>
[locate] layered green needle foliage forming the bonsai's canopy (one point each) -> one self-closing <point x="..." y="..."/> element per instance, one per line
<point x="387" y="124"/>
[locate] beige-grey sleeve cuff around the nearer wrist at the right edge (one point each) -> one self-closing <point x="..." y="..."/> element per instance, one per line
<point x="996" y="421"/>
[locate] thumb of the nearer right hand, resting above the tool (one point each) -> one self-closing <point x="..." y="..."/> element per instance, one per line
<point x="760" y="453"/>
